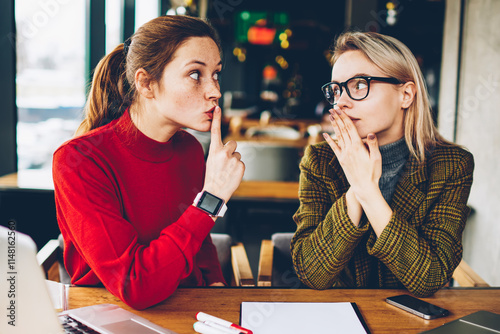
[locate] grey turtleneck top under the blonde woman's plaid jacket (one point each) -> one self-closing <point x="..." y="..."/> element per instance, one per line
<point x="394" y="157"/>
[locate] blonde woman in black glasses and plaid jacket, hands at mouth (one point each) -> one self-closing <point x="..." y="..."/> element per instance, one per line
<point x="385" y="203"/>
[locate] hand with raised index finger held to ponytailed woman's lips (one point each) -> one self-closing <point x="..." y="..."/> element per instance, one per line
<point x="224" y="166"/>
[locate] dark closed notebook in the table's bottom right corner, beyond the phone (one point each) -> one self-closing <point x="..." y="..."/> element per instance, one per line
<point x="478" y="323"/>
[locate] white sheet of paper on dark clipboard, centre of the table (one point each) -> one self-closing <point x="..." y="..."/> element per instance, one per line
<point x="309" y="317"/>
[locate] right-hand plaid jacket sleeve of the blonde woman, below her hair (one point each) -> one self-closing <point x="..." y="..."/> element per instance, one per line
<point x="423" y="251"/>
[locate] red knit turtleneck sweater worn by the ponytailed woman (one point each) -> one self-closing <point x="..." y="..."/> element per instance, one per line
<point x="124" y="208"/>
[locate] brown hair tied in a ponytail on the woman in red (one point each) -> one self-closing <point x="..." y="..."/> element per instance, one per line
<point x="151" y="47"/>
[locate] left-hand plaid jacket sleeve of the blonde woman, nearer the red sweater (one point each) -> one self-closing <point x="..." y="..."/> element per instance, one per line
<point x="326" y="237"/>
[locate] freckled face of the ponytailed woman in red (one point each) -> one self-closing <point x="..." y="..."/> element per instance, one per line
<point x="189" y="89"/>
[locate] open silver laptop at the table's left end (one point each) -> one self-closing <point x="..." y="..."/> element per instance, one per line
<point x="27" y="306"/>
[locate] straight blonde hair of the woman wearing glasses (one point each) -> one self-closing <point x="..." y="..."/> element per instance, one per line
<point x="395" y="59"/>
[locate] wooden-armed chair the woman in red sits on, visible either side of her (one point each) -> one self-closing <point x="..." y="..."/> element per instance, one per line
<point x="232" y="256"/>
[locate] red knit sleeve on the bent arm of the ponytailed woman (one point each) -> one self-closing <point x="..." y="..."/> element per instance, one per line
<point x="105" y="247"/>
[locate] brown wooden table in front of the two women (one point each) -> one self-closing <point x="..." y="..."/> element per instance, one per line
<point x="178" y="312"/>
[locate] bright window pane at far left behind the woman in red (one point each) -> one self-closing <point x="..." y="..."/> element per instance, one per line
<point x="50" y="77"/>
